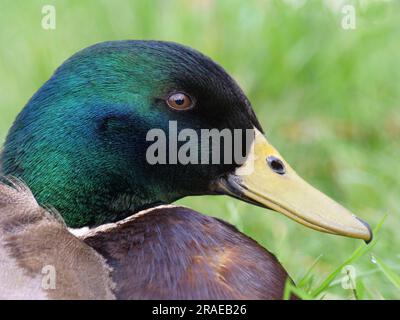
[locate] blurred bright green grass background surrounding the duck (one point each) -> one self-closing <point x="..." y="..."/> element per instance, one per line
<point x="328" y="98"/>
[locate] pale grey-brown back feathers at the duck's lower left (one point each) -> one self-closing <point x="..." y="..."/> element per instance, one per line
<point x="34" y="241"/>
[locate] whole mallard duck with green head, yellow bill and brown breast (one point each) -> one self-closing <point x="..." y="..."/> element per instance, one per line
<point x="79" y="147"/>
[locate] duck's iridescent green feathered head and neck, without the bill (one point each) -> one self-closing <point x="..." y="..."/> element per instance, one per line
<point x="80" y="142"/>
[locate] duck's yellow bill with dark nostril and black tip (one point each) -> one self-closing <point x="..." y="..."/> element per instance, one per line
<point x="267" y="180"/>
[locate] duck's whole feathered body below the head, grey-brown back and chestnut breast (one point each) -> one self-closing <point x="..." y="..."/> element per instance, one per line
<point x="167" y="252"/>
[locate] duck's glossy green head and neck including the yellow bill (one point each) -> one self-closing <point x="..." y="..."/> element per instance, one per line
<point x="81" y="141"/>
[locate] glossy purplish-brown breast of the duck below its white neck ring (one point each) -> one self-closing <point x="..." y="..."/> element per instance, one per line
<point x="173" y="252"/>
